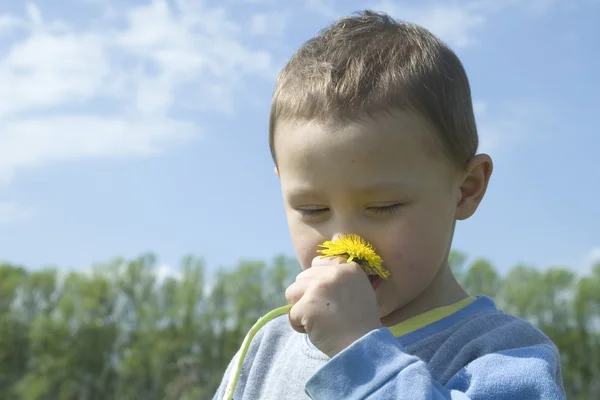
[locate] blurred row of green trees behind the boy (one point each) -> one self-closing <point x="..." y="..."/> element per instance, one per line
<point x="119" y="331"/>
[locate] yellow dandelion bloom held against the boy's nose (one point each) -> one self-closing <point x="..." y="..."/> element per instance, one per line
<point x="354" y="248"/>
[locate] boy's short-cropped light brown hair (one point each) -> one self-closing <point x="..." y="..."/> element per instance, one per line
<point x="370" y="63"/>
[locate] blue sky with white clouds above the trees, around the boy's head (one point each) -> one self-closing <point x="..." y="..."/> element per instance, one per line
<point x="128" y="126"/>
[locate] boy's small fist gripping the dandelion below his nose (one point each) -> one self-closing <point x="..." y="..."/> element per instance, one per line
<point x="334" y="303"/>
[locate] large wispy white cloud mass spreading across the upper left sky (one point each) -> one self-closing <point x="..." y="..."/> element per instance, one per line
<point x="109" y="89"/>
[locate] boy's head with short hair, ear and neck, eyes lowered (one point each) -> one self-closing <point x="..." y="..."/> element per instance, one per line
<point x="372" y="132"/>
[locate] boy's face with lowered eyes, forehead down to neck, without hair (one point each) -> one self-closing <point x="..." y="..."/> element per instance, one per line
<point x="384" y="179"/>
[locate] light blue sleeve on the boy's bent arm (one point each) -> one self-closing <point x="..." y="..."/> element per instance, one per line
<point x="378" y="367"/>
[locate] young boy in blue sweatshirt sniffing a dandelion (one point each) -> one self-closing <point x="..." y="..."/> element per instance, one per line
<point x="372" y="132"/>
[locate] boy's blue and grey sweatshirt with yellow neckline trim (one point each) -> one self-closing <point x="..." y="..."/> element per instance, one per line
<point x="469" y="350"/>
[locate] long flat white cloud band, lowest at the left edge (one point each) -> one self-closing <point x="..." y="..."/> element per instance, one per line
<point x="36" y="141"/>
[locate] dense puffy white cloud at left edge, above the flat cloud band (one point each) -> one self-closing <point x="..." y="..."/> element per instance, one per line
<point x="48" y="70"/>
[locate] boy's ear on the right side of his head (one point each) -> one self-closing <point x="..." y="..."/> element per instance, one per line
<point x="474" y="185"/>
